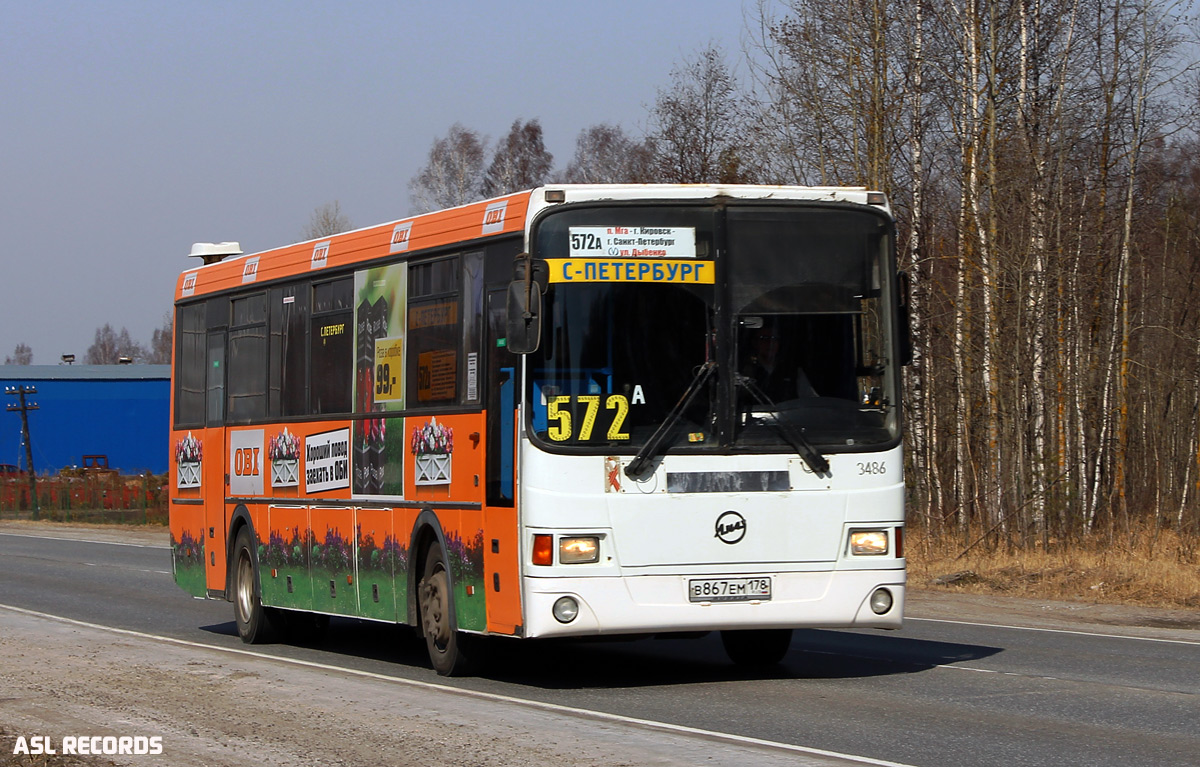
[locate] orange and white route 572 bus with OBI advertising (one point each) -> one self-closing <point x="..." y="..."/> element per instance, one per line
<point x="573" y="411"/>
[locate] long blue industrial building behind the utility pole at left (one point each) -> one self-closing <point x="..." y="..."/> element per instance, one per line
<point x="119" y="411"/>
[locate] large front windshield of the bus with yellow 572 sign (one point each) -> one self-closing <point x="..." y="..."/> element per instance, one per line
<point x="787" y="305"/>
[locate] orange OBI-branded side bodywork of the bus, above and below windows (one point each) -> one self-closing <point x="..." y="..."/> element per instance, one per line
<point x="322" y="547"/>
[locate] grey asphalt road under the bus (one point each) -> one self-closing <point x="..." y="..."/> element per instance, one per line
<point x="945" y="691"/>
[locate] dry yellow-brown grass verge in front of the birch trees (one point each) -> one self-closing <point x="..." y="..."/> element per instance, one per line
<point x="1155" y="571"/>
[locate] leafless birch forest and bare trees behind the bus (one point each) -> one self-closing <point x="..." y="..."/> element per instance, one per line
<point x="1043" y="163"/>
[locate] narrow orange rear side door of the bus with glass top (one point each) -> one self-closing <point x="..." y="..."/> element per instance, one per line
<point x="215" y="478"/>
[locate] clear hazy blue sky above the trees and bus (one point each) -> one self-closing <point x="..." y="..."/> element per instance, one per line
<point x="131" y="130"/>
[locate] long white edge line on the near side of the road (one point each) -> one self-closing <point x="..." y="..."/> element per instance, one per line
<point x="489" y="697"/>
